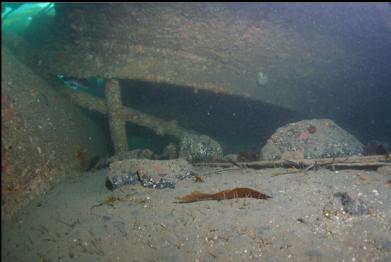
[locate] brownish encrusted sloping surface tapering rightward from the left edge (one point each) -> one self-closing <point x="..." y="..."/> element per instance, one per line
<point x="44" y="136"/>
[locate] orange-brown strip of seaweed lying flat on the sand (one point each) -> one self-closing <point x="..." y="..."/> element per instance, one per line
<point x="226" y="194"/>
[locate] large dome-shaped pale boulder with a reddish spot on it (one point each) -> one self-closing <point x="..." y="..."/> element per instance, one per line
<point x="317" y="138"/>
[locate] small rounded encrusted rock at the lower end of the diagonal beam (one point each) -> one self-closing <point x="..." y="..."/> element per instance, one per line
<point x="195" y="148"/>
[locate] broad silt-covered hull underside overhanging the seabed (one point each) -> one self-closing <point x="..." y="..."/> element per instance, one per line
<point x="215" y="46"/>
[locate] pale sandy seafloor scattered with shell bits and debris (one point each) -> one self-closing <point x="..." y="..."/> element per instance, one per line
<point x="147" y="224"/>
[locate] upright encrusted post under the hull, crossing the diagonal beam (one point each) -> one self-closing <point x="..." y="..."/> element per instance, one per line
<point x="116" y="121"/>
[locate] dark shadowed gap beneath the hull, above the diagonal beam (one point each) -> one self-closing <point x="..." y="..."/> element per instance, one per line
<point x="238" y="123"/>
